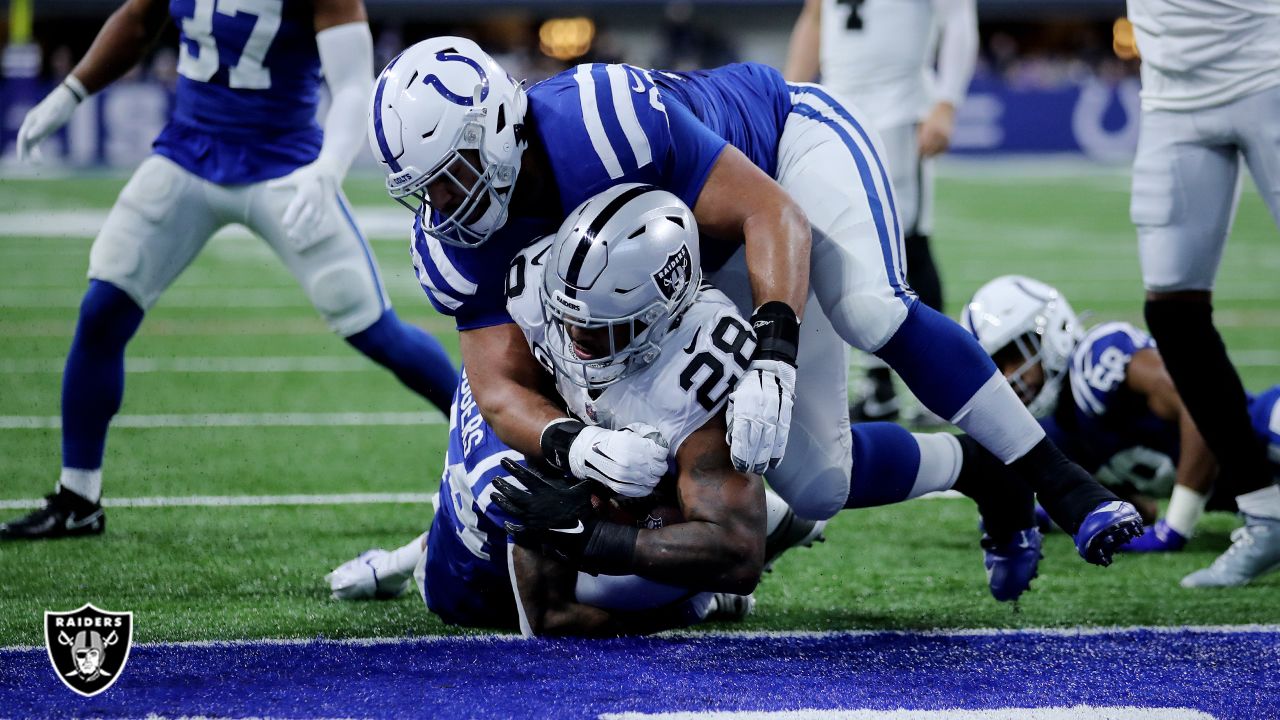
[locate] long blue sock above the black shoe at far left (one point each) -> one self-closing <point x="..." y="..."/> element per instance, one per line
<point x="94" y="380"/>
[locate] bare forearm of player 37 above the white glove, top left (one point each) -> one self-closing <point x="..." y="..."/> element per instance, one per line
<point x="125" y="39"/>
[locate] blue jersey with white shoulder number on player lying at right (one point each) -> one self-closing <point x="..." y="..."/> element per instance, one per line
<point x="1098" y="417"/>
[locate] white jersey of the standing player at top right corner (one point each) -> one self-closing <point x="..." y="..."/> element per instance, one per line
<point x="1204" y="53"/>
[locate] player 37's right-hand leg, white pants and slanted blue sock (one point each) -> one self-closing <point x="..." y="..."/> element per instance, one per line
<point x="340" y="275"/>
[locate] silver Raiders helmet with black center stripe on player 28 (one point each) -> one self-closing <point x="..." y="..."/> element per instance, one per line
<point x="624" y="265"/>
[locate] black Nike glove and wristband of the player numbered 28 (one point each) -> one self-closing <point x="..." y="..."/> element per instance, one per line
<point x="555" y="514"/>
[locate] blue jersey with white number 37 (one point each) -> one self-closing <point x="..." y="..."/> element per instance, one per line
<point x="249" y="86"/>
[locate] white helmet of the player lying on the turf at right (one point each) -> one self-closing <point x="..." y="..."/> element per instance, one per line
<point x="1018" y="315"/>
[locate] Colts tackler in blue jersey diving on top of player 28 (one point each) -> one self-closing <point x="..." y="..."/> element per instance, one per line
<point x="797" y="213"/>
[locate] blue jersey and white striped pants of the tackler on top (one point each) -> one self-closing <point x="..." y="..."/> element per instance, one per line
<point x="607" y="125"/>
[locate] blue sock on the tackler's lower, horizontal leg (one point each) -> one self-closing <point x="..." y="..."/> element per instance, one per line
<point x="886" y="463"/>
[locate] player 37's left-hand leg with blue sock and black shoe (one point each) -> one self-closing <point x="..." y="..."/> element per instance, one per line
<point x="156" y="229"/>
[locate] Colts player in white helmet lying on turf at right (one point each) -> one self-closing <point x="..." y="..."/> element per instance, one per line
<point x="1105" y="398"/>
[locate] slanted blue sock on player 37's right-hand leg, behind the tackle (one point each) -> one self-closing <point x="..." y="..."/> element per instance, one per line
<point x="418" y="359"/>
